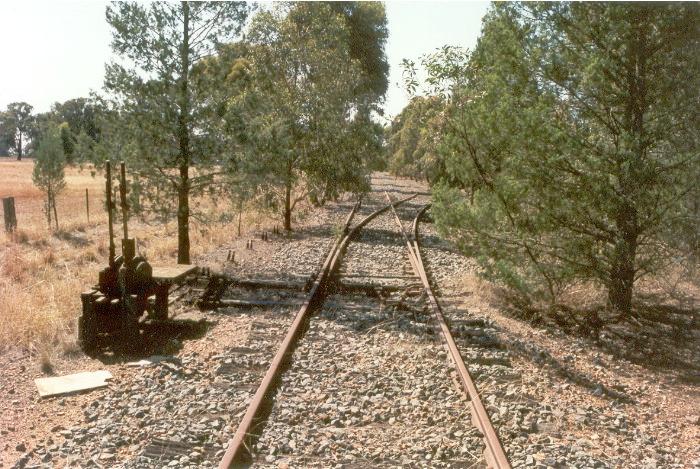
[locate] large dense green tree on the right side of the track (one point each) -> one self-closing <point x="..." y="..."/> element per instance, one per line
<point x="569" y="144"/>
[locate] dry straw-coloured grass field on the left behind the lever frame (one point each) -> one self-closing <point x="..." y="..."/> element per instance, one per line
<point x="43" y="272"/>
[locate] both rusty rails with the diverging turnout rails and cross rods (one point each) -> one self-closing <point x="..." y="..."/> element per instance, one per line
<point x="240" y="451"/>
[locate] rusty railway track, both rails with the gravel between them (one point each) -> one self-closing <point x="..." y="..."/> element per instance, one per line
<point x="375" y="298"/>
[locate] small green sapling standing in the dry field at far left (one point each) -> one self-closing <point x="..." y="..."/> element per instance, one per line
<point x="48" y="174"/>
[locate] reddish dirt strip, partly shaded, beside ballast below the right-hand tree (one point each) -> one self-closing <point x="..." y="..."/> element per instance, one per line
<point x="661" y="397"/>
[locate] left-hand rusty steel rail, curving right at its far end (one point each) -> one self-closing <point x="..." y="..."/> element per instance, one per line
<point x="238" y="453"/>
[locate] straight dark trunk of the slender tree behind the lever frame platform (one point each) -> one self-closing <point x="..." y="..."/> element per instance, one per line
<point x="183" y="209"/>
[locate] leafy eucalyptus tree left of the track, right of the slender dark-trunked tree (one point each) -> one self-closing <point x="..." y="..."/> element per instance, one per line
<point x="298" y="120"/>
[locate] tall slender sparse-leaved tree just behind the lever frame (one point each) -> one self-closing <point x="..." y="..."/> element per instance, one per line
<point x="161" y="118"/>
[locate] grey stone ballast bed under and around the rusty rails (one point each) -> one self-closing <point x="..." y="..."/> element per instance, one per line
<point x="370" y="385"/>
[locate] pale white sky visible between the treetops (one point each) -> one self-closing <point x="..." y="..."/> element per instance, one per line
<point x="55" y="50"/>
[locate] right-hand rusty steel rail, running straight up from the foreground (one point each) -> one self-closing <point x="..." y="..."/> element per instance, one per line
<point x="494" y="454"/>
